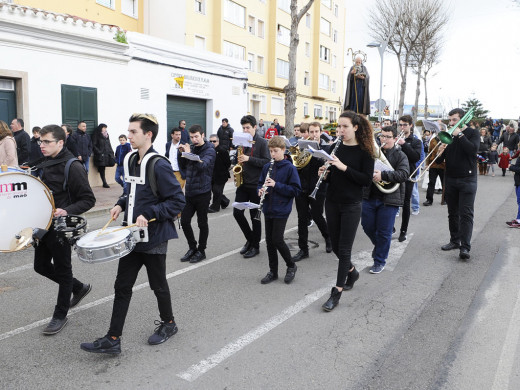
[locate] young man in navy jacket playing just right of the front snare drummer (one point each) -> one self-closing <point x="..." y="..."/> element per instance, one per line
<point x="198" y="192"/>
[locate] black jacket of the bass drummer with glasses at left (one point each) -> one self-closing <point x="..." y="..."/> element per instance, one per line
<point x="78" y="198"/>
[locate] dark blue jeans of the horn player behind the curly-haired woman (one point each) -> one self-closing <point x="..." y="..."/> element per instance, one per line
<point x="378" y="220"/>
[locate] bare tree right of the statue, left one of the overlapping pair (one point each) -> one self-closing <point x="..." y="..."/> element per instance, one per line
<point x="414" y="18"/>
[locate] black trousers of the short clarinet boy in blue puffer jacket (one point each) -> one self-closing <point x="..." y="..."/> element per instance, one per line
<point x="274" y="240"/>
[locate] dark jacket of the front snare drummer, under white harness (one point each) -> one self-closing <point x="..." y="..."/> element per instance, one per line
<point x="164" y="208"/>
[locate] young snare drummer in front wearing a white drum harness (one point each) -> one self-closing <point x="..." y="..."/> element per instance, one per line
<point x="164" y="207"/>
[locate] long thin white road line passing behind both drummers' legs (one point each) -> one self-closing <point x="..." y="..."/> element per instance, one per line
<point x="109" y="298"/>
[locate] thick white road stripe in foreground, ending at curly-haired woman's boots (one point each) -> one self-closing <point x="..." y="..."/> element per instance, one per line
<point x="204" y="366"/>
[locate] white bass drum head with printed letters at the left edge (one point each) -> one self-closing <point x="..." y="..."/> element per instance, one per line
<point x="25" y="202"/>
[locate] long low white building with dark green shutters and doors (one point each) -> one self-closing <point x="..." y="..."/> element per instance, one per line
<point x="56" y="69"/>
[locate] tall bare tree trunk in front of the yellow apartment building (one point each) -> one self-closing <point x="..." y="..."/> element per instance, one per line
<point x="290" y="88"/>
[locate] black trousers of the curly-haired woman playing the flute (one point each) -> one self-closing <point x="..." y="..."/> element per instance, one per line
<point x="342" y="221"/>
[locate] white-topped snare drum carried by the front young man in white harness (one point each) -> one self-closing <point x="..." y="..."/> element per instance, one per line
<point x="110" y="245"/>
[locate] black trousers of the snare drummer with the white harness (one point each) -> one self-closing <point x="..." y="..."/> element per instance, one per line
<point x="127" y="271"/>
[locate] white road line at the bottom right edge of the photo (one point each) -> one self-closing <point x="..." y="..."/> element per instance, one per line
<point x="507" y="357"/>
